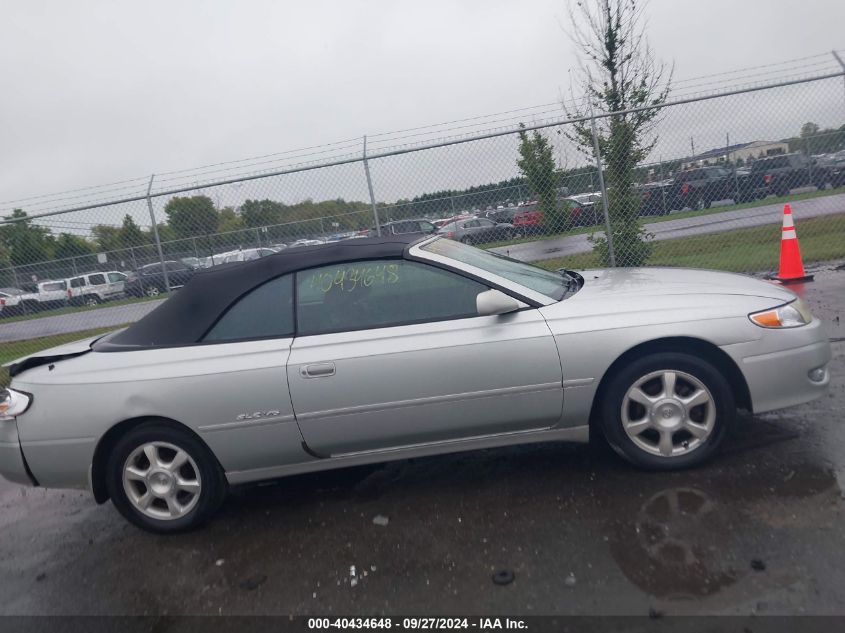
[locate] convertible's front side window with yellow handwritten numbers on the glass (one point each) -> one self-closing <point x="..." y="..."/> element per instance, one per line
<point x="380" y="293"/>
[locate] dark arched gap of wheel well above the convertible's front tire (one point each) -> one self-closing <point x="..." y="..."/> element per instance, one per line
<point x="691" y="345"/>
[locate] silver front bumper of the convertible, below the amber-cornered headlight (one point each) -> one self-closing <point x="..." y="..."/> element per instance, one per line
<point x="777" y="368"/>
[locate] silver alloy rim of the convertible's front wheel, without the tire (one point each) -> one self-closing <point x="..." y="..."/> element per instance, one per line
<point x="668" y="413"/>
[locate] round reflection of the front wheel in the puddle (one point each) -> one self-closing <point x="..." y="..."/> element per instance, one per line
<point x="674" y="547"/>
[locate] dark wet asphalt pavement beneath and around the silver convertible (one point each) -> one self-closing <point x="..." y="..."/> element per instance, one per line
<point x="759" y="529"/>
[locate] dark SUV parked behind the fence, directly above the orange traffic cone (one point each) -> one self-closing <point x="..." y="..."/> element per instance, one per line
<point x="779" y="174"/>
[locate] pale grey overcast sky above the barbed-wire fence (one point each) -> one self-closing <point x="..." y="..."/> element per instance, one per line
<point x="99" y="91"/>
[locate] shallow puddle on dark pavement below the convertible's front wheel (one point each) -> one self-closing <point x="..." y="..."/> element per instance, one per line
<point x="690" y="542"/>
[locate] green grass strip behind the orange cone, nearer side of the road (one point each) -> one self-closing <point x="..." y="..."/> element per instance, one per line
<point x="741" y="250"/>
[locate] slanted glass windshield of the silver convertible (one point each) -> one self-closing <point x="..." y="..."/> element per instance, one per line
<point x="551" y="284"/>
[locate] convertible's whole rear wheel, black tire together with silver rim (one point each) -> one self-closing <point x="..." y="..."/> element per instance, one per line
<point x="188" y="510"/>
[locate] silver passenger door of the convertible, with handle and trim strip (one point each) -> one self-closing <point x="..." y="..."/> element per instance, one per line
<point x="426" y="382"/>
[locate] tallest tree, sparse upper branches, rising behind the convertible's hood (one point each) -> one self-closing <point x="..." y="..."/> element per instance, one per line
<point x="619" y="73"/>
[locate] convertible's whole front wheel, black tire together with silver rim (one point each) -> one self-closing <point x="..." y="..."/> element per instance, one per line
<point x="649" y="450"/>
